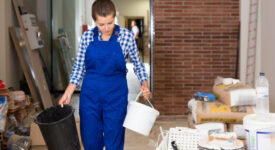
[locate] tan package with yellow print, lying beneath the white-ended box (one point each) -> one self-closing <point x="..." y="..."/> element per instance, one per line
<point x="218" y="112"/>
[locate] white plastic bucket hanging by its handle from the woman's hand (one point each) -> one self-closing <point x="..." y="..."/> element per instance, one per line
<point x="140" y="118"/>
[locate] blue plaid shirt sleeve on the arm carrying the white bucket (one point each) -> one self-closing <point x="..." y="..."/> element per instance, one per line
<point x="139" y="68"/>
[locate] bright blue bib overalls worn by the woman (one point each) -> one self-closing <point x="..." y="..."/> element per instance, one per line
<point x="103" y="97"/>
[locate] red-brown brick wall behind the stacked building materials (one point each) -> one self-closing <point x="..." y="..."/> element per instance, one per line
<point x="195" y="41"/>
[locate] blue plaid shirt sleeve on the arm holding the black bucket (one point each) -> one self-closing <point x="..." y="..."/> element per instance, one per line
<point x="78" y="70"/>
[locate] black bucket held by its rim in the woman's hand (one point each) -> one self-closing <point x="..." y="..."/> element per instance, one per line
<point x="58" y="128"/>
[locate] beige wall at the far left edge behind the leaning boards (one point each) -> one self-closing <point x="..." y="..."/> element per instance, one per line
<point x="10" y="70"/>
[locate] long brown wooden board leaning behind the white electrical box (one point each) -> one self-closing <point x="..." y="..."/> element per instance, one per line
<point x="35" y="61"/>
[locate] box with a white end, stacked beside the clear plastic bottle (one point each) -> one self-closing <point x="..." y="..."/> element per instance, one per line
<point x="235" y="94"/>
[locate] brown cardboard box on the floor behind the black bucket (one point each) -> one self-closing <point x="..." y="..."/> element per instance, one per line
<point x="37" y="141"/>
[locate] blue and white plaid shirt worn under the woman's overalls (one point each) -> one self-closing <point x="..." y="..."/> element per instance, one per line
<point x="129" y="49"/>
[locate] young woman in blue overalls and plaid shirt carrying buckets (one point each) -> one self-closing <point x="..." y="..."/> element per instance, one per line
<point x="101" y="58"/>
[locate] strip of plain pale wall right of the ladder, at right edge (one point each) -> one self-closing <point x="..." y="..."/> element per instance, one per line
<point x="268" y="47"/>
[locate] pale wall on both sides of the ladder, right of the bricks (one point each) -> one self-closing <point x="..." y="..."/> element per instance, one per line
<point x="265" y="53"/>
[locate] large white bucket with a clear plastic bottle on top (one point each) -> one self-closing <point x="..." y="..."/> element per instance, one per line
<point x="260" y="131"/>
